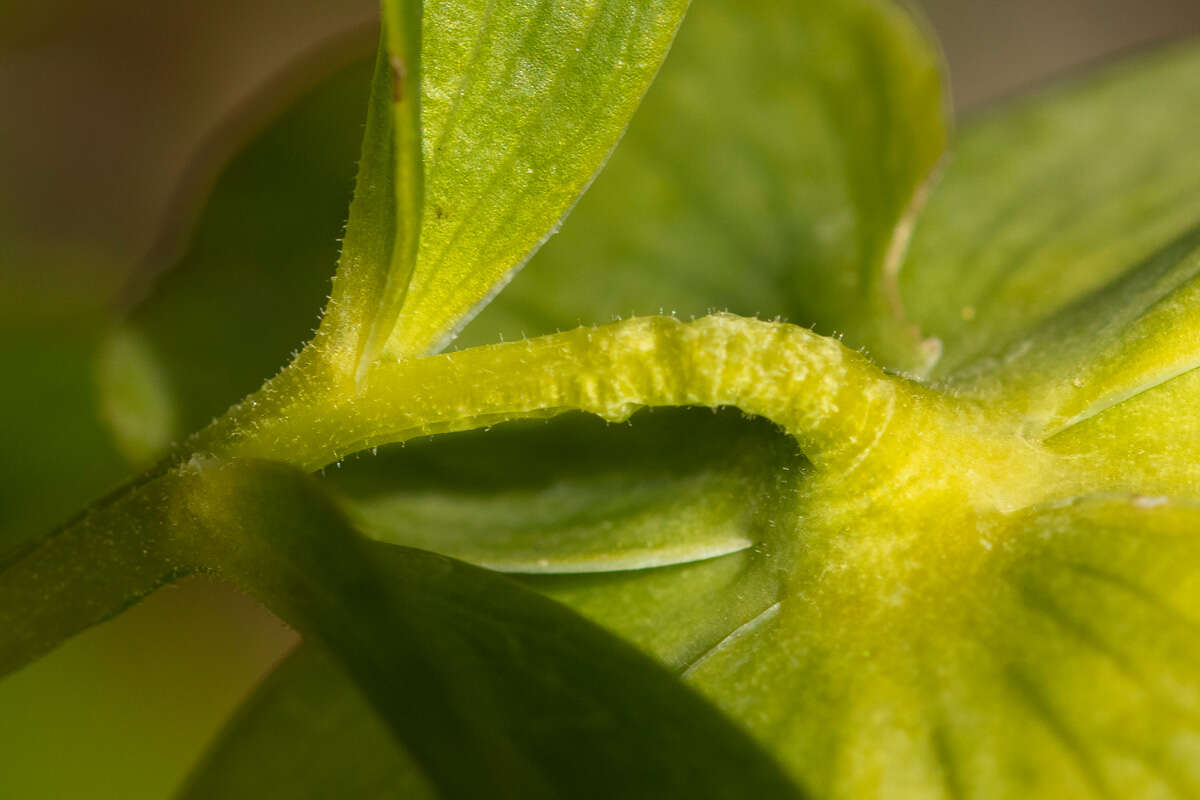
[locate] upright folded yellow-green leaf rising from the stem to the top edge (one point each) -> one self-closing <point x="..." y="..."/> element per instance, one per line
<point x="520" y="106"/>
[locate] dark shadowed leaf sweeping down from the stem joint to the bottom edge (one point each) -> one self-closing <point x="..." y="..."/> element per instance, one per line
<point x="466" y="667"/>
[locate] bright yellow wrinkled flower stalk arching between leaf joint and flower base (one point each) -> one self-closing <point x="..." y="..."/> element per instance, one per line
<point x="832" y="400"/>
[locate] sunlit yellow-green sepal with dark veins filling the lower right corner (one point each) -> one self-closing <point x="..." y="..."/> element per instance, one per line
<point x="1060" y="663"/>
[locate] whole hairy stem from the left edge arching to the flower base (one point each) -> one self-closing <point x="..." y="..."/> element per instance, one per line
<point x="833" y="401"/>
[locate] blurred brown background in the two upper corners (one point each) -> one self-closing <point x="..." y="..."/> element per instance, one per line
<point x="106" y="104"/>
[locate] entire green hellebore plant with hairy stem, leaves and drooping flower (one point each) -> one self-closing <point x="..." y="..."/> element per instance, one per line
<point x="952" y="552"/>
